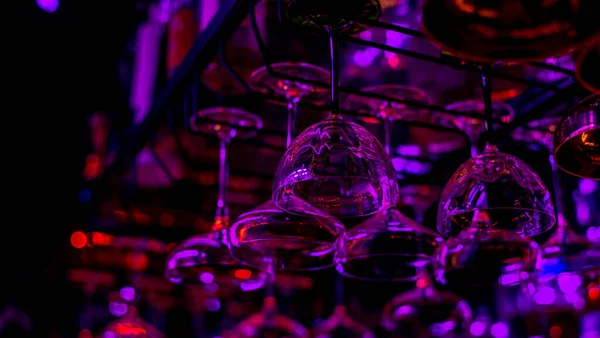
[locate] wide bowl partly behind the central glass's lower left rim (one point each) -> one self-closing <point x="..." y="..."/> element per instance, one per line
<point x="303" y="239"/>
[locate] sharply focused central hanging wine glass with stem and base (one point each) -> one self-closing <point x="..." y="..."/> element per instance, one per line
<point x="335" y="165"/>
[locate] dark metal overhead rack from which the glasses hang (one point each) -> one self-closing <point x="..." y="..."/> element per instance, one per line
<point x="550" y="98"/>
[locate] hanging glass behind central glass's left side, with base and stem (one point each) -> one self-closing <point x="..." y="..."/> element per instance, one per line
<point x="307" y="238"/>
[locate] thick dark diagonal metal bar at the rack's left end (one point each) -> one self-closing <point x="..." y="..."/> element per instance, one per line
<point x="227" y="19"/>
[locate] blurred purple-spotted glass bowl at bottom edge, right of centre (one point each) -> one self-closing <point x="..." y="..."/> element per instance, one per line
<point x="426" y="312"/>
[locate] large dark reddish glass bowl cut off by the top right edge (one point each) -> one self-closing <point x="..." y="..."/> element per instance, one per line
<point x="509" y="30"/>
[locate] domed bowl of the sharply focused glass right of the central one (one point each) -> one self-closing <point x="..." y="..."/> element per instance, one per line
<point x="506" y="188"/>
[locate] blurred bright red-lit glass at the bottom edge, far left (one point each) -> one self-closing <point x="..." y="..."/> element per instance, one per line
<point x="130" y="325"/>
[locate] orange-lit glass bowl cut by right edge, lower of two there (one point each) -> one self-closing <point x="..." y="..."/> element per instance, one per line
<point x="577" y="140"/>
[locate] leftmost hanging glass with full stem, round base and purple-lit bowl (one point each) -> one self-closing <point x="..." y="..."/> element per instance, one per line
<point x="206" y="258"/>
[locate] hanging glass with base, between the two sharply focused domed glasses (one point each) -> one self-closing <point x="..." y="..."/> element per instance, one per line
<point x="388" y="246"/>
